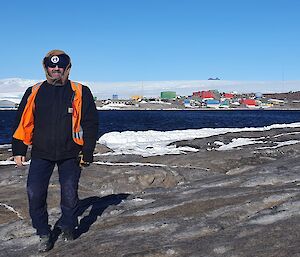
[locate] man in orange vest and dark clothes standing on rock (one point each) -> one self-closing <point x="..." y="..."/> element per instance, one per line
<point x="58" y="118"/>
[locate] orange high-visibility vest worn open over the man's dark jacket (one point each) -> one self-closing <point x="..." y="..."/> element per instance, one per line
<point x="25" y="128"/>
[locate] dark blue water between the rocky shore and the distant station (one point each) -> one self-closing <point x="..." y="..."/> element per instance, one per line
<point x="115" y="120"/>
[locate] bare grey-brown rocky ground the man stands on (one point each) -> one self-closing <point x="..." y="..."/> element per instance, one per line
<point x="240" y="202"/>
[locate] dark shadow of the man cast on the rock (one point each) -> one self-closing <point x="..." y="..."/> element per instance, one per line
<point x="99" y="204"/>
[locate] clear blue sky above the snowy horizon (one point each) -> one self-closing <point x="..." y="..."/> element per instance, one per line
<point x="134" y="40"/>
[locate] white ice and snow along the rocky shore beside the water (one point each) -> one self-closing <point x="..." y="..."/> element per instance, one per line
<point x="150" y="143"/>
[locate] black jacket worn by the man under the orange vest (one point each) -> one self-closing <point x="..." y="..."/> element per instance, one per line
<point x="52" y="135"/>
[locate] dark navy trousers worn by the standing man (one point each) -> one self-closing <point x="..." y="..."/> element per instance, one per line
<point x="40" y="171"/>
